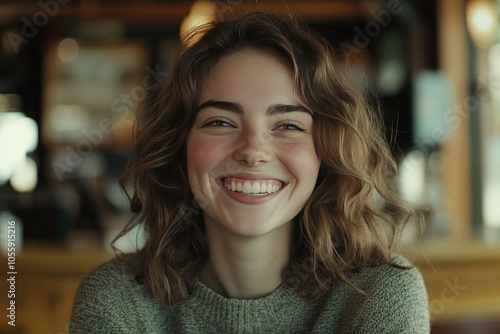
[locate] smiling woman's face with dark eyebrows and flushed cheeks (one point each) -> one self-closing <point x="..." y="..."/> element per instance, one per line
<point x="251" y="159"/>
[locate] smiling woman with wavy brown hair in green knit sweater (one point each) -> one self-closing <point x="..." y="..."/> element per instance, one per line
<point x="263" y="182"/>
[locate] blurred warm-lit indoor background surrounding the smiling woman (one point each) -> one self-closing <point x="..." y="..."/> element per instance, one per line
<point x="72" y="73"/>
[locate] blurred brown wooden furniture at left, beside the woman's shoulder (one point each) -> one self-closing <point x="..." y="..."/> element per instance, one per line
<point x="46" y="281"/>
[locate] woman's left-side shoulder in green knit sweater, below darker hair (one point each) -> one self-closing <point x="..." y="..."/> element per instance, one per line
<point x="114" y="298"/>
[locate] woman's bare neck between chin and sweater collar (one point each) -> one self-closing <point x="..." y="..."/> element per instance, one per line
<point x="245" y="267"/>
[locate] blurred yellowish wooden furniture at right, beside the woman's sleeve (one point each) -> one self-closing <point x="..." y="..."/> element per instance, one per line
<point x="462" y="280"/>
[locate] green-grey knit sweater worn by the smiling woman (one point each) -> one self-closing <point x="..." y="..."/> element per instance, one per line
<point x="111" y="299"/>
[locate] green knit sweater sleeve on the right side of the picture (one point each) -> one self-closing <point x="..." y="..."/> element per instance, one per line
<point x="395" y="302"/>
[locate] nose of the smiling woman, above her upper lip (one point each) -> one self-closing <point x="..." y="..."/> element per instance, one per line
<point x="253" y="149"/>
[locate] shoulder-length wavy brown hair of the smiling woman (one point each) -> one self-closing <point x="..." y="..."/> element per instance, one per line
<point x="351" y="219"/>
